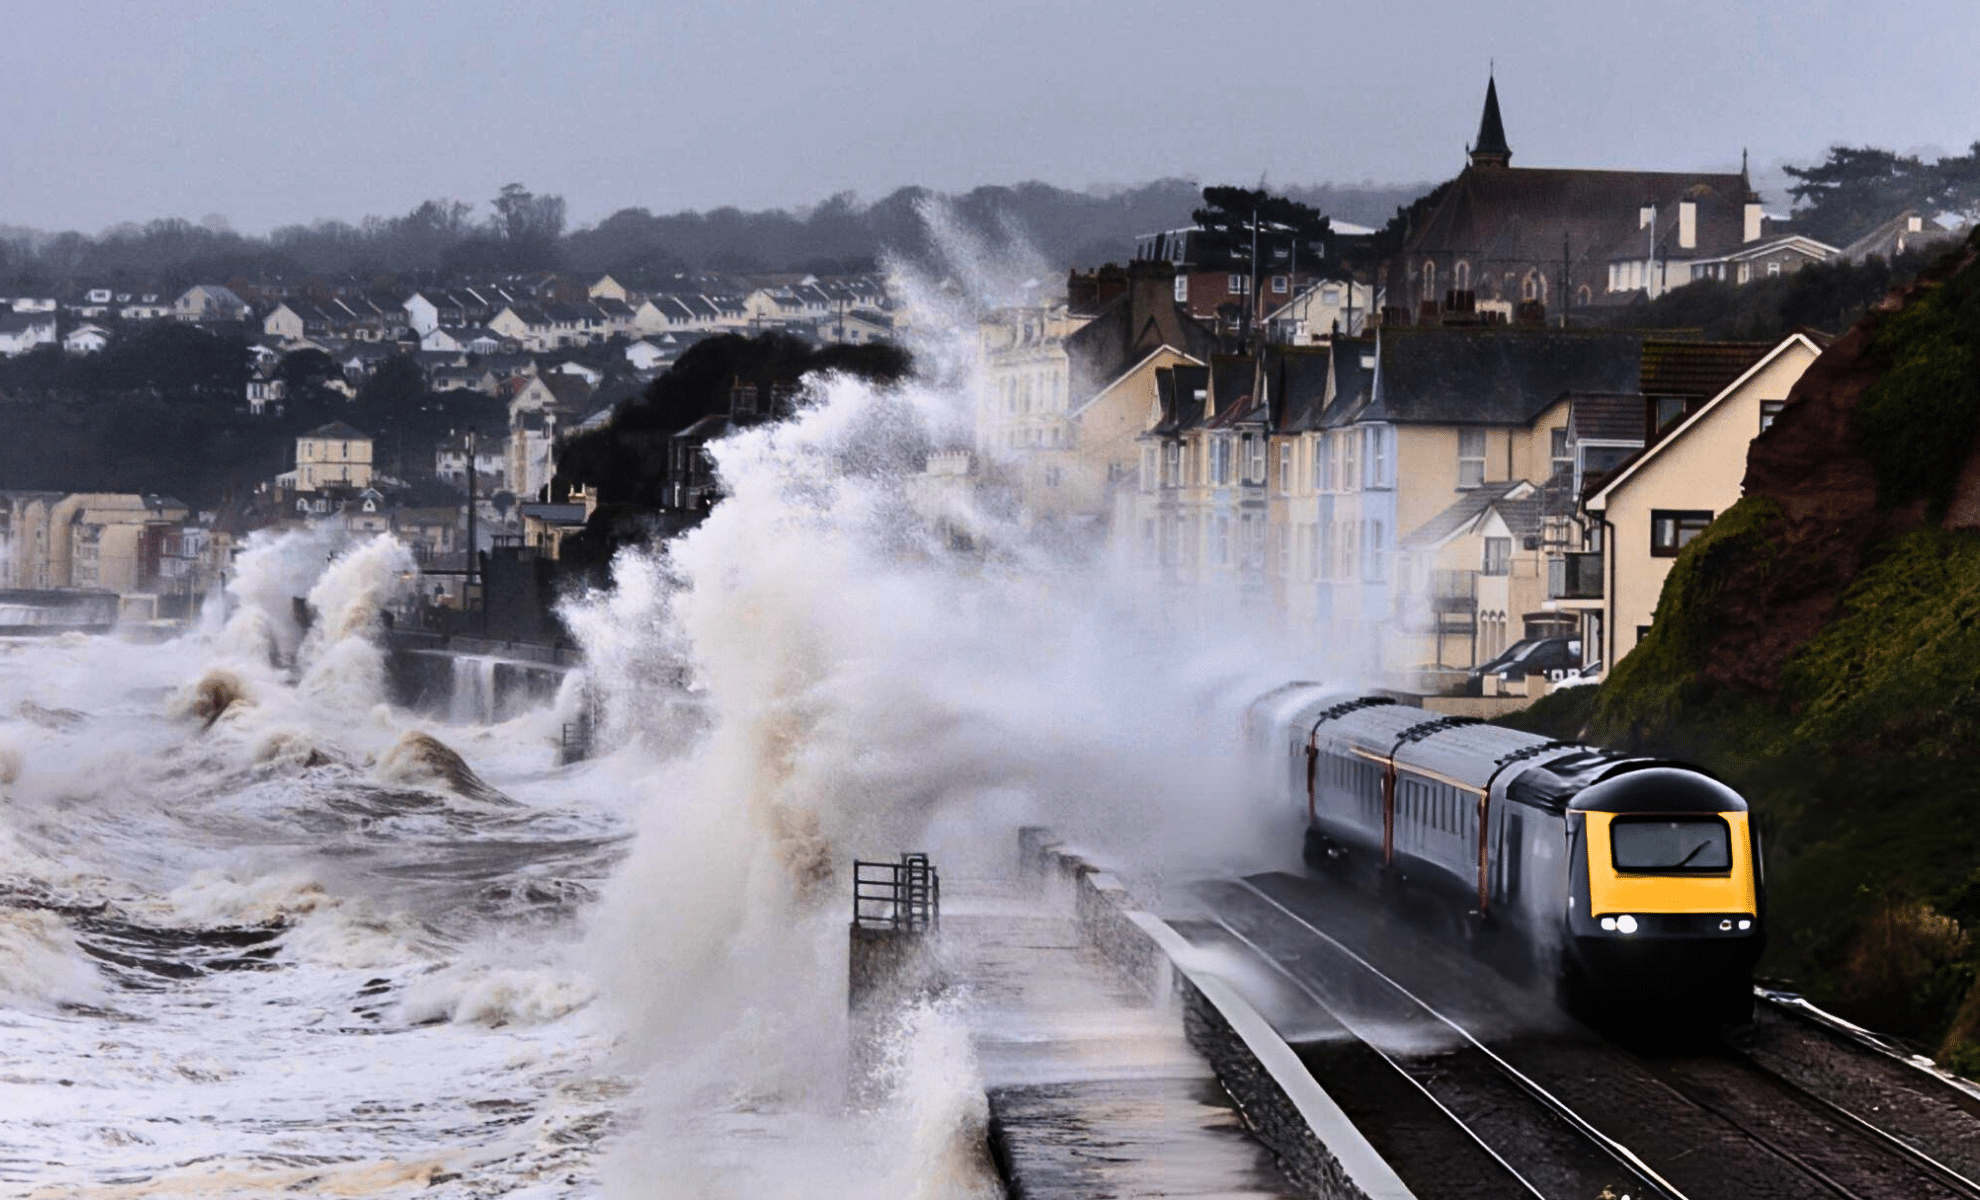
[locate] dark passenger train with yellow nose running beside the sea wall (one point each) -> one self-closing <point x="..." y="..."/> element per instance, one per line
<point x="1636" y="882"/>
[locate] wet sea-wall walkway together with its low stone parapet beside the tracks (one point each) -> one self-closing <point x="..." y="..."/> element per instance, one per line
<point x="1120" y="1064"/>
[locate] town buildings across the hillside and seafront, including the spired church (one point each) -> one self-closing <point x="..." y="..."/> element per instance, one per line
<point x="1464" y="460"/>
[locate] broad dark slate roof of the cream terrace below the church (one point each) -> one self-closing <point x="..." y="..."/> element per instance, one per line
<point x="1494" y="375"/>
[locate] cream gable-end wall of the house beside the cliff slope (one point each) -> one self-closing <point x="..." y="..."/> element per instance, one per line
<point x="1668" y="494"/>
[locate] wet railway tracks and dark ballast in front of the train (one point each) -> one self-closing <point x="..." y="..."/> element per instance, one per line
<point x="1557" y="1110"/>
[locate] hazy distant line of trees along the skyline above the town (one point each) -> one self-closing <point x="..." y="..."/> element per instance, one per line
<point x="524" y="231"/>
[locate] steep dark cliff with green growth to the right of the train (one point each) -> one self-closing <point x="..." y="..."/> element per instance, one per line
<point x="1821" y="649"/>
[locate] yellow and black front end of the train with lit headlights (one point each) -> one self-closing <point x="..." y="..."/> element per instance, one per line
<point x="1664" y="892"/>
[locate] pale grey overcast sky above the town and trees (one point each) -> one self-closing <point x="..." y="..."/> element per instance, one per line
<point x="274" y="114"/>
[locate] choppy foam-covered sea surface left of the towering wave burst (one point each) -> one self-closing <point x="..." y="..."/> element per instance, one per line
<point x="290" y="948"/>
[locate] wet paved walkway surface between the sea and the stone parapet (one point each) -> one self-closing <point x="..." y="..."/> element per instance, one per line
<point x="1094" y="1092"/>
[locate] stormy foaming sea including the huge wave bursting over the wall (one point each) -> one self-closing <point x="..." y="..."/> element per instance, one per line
<point x="266" y="934"/>
